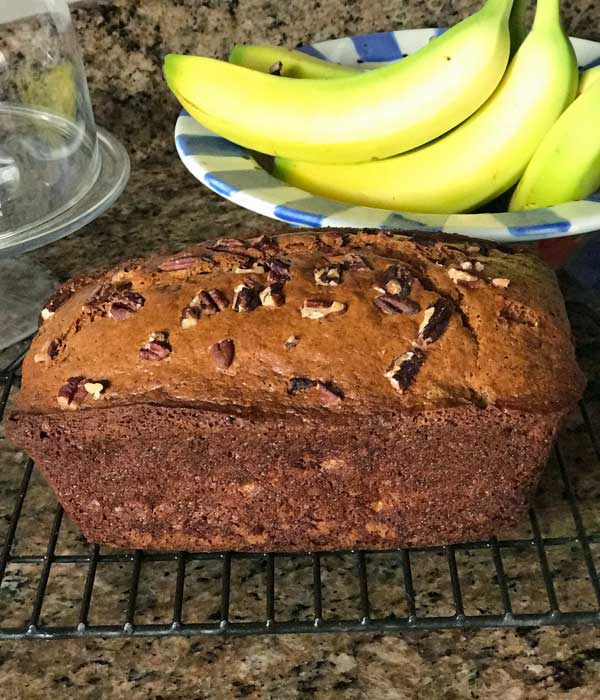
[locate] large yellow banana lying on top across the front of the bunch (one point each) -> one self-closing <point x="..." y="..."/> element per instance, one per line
<point x="374" y="114"/>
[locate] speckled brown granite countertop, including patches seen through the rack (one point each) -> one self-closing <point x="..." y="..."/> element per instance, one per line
<point x="164" y="209"/>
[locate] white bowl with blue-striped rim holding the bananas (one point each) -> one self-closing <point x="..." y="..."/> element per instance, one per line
<point x="231" y="171"/>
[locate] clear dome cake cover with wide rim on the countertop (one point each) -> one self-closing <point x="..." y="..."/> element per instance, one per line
<point x="50" y="154"/>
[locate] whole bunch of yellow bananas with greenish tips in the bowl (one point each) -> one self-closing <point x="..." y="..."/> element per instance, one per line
<point x="444" y="130"/>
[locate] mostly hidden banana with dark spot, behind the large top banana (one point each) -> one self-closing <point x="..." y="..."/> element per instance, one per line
<point x="294" y="64"/>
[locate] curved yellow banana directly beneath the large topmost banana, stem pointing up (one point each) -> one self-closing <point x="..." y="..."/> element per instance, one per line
<point x="482" y="157"/>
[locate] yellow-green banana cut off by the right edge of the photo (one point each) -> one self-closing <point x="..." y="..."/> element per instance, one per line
<point x="566" y="166"/>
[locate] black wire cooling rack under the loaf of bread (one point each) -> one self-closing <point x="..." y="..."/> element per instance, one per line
<point x="54" y="585"/>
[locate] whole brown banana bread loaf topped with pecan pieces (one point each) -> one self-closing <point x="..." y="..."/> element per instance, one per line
<point x="314" y="391"/>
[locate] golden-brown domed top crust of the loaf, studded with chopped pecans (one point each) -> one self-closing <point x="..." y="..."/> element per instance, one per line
<point x="485" y="327"/>
